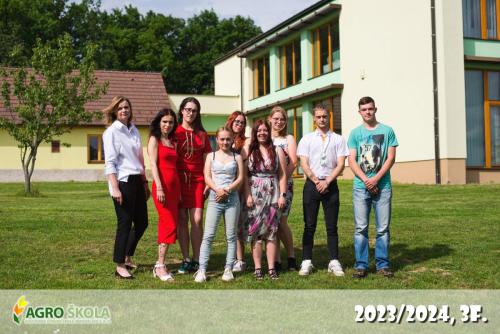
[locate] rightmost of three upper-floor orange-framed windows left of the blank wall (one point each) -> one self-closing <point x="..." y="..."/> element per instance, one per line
<point x="325" y="49"/>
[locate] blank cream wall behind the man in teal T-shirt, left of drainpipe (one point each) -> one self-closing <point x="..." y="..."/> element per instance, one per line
<point x="386" y="53"/>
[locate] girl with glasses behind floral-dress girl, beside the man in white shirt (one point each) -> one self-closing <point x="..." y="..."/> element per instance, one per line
<point x="278" y="120"/>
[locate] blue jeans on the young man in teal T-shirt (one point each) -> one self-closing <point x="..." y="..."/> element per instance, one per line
<point x="363" y="202"/>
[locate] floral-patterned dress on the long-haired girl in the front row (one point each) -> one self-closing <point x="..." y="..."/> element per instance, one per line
<point x="263" y="217"/>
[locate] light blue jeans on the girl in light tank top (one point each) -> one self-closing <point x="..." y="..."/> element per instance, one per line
<point x="231" y="210"/>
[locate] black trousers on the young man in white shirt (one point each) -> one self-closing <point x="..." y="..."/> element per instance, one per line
<point x="311" y="200"/>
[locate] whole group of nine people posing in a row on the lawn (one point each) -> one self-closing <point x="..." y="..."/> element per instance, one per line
<point x="249" y="183"/>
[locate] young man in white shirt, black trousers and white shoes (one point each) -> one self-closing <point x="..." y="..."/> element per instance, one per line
<point x="322" y="157"/>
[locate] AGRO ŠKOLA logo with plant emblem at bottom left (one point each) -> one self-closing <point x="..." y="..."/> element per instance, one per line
<point x="70" y="314"/>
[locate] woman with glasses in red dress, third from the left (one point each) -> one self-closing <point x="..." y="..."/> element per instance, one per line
<point x="192" y="147"/>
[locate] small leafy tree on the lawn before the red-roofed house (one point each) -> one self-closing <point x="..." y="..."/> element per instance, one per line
<point x="51" y="98"/>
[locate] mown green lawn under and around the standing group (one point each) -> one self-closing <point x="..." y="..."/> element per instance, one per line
<point x="442" y="237"/>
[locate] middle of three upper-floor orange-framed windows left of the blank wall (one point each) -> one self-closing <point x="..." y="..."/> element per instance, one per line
<point x="290" y="73"/>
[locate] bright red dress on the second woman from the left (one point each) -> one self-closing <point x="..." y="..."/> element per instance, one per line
<point x="168" y="211"/>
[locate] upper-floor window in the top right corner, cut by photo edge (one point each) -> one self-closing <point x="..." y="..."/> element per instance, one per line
<point x="481" y="19"/>
